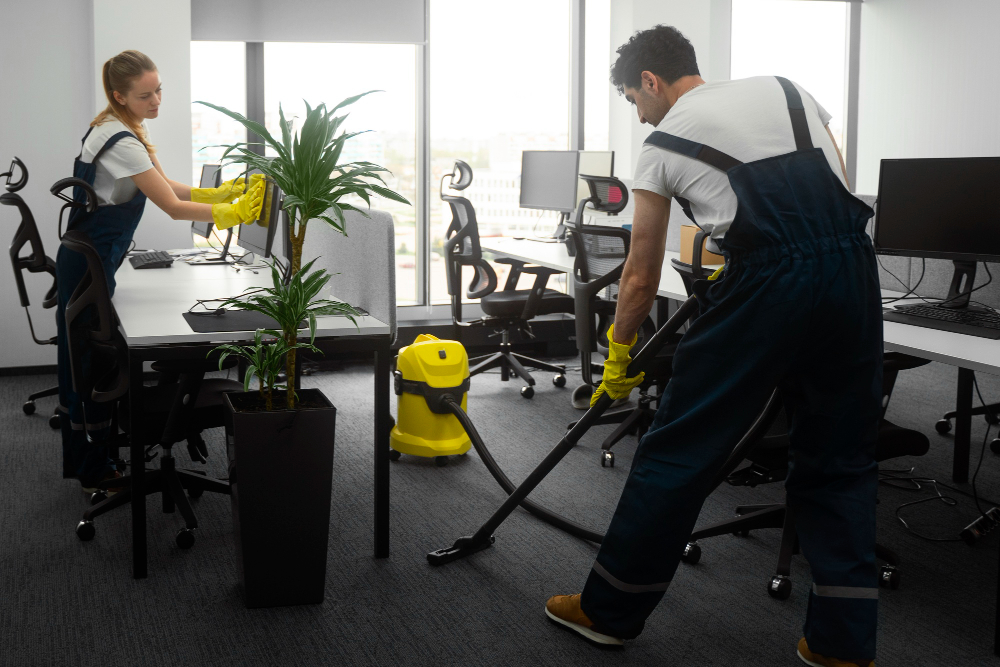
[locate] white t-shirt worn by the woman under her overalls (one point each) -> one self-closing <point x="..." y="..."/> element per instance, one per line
<point x="128" y="157"/>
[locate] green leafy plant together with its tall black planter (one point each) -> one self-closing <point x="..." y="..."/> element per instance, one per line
<point x="280" y="440"/>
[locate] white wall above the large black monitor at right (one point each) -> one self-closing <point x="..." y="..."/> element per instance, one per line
<point x="930" y="83"/>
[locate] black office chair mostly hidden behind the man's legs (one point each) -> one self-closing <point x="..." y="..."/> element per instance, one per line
<point x="768" y="462"/>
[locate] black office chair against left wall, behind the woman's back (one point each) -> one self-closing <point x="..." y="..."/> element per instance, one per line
<point x="35" y="262"/>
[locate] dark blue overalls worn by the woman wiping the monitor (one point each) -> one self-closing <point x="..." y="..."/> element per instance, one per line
<point x="110" y="228"/>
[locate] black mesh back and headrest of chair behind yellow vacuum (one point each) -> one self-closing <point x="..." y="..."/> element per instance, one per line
<point x="461" y="244"/>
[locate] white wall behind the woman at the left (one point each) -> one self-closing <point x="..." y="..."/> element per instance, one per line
<point x="51" y="92"/>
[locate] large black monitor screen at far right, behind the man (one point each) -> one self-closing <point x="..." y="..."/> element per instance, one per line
<point x="939" y="207"/>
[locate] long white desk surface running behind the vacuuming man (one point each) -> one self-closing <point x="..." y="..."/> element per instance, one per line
<point x="978" y="354"/>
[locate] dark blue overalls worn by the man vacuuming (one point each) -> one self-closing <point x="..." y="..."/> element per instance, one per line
<point x="798" y="308"/>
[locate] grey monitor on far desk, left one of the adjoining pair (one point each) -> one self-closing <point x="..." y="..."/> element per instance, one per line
<point x="549" y="180"/>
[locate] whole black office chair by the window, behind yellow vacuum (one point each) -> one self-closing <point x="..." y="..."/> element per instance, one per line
<point x="508" y="310"/>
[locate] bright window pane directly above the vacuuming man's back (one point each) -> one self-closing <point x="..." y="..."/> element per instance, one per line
<point x="803" y="41"/>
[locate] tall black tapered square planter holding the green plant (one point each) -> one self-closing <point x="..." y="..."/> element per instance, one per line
<point x="280" y="472"/>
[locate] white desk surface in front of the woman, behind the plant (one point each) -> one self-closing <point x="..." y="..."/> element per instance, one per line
<point x="150" y="303"/>
